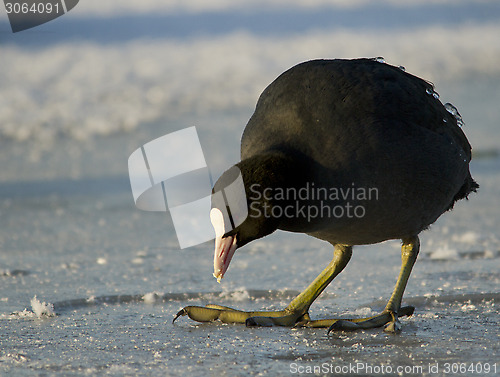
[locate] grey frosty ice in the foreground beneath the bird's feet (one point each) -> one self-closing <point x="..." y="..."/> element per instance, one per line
<point x="116" y="277"/>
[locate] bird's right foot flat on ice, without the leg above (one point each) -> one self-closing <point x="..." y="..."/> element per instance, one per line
<point x="387" y="318"/>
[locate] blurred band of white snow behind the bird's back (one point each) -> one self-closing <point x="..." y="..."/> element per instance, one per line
<point x="83" y="90"/>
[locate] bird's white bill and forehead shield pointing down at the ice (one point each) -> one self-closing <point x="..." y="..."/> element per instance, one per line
<point x="224" y="247"/>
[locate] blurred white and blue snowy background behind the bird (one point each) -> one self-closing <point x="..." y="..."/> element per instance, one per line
<point x="146" y="68"/>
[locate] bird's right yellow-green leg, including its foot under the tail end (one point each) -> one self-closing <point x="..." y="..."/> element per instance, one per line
<point x="393" y="309"/>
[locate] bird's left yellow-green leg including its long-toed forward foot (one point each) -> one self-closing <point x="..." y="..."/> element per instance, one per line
<point x="295" y="313"/>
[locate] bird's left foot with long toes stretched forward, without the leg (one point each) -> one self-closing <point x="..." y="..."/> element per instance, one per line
<point x="225" y="314"/>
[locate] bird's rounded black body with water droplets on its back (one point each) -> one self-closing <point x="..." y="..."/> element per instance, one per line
<point x="365" y="125"/>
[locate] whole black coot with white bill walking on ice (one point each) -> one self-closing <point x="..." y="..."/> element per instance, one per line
<point x="352" y="152"/>
